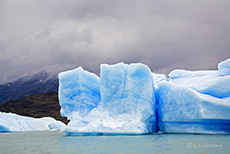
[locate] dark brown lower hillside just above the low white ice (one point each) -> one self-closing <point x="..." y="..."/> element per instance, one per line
<point x="37" y="105"/>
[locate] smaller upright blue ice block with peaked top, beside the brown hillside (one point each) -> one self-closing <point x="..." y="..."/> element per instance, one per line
<point x="79" y="92"/>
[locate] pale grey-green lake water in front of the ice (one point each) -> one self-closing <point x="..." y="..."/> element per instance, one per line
<point x="46" y="142"/>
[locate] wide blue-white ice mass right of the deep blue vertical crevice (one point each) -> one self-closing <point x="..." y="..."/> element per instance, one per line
<point x="195" y="102"/>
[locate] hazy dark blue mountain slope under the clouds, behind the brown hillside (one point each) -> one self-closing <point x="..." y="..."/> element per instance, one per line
<point x="41" y="82"/>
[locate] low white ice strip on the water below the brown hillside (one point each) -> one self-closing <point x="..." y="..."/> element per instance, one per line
<point x="10" y="122"/>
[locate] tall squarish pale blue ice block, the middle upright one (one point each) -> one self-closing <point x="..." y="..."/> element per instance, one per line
<point x="127" y="94"/>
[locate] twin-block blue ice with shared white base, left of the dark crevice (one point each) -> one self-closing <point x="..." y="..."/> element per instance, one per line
<point x="124" y="102"/>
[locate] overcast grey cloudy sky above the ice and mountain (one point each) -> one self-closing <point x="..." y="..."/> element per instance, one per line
<point x="57" y="35"/>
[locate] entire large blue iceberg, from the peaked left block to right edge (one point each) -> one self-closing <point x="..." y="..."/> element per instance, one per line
<point x="130" y="99"/>
